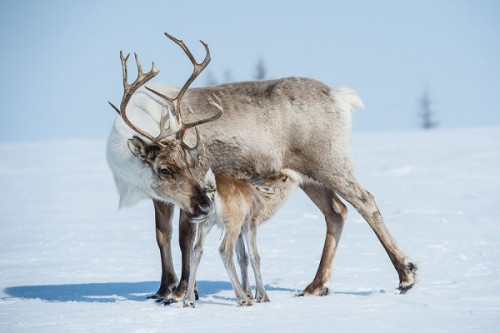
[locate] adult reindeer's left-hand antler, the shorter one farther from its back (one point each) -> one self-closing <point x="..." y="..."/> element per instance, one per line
<point x="130" y="89"/>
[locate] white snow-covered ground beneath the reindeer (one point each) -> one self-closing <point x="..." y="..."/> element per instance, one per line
<point x="70" y="261"/>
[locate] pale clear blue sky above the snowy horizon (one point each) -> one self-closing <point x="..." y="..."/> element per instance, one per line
<point x="60" y="59"/>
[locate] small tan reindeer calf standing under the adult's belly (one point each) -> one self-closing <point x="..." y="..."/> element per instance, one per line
<point x="239" y="208"/>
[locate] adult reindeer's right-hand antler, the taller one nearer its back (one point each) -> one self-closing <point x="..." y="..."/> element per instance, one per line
<point x="176" y="101"/>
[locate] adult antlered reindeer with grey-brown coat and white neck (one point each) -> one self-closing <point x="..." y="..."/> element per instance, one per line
<point x="265" y="126"/>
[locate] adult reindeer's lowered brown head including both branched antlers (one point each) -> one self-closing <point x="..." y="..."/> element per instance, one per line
<point x="177" y="169"/>
